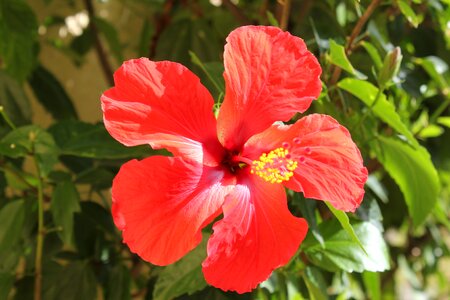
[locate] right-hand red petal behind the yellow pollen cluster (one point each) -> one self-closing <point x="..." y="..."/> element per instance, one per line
<point x="330" y="166"/>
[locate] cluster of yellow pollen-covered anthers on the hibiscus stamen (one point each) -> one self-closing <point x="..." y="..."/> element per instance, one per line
<point x="275" y="166"/>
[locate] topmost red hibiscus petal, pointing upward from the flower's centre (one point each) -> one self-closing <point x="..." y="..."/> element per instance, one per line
<point x="269" y="76"/>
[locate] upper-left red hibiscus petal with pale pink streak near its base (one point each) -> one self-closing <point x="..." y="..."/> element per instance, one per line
<point x="162" y="104"/>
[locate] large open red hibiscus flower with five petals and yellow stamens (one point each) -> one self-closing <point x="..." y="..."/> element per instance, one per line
<point x="236" y="165"/>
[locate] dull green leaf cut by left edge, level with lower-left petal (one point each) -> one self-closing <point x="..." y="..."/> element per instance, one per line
<point x="12" y="217"/>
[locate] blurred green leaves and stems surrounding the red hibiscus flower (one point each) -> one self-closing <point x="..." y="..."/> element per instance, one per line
<point x="385" y="77"/>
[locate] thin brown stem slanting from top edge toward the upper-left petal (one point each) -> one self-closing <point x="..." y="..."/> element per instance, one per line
<point x="101" y="53"/>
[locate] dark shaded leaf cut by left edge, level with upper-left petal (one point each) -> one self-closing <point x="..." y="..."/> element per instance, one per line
<point x="14" y="100"/>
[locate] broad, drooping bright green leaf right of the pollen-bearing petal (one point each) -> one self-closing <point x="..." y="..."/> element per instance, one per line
<point x="414" y="172"/>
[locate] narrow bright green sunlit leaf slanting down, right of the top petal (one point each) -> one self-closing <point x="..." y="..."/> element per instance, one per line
<point x="383" y="109"/>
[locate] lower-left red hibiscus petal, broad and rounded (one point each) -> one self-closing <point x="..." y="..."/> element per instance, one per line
<point x="162" y="203"/>
